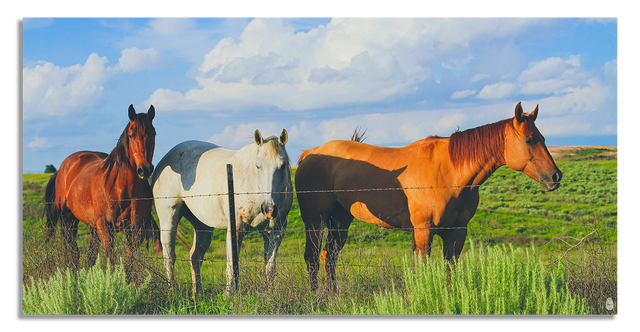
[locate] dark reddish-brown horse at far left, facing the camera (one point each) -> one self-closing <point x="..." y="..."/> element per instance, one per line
<point x="110" y="193"/>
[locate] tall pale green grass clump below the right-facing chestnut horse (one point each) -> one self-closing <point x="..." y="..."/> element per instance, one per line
<point x="487" y="281"/>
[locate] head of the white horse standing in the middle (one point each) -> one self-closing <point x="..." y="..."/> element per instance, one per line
<point x="273" y="175"/>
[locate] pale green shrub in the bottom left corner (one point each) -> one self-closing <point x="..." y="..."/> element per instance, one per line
<point x="94" y="291"/>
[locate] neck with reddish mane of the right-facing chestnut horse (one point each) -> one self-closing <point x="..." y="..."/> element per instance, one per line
<point x="477" y="153"/>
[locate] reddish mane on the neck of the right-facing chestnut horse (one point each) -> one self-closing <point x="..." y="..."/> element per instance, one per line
<point x="477" y="145"/>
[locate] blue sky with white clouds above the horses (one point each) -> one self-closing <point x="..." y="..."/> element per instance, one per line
<point x="218" y="78"/>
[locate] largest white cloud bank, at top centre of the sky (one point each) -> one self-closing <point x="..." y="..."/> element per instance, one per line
<point x="349" y="60"/>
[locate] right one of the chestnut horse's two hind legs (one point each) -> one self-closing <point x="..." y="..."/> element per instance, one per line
<point x="338" y="223"/>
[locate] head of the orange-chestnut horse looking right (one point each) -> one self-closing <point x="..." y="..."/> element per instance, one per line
<point x="526" y="152"/>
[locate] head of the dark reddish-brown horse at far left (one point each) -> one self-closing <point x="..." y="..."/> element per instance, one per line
<point x="142" y="141"/>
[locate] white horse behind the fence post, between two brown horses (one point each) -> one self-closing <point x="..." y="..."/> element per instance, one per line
<point x="191" y="181"/>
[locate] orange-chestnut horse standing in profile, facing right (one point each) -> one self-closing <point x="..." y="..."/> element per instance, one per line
<point x="338" y="175"/>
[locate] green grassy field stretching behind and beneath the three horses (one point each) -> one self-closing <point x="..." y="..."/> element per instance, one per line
<point x="513" y="211"/>
